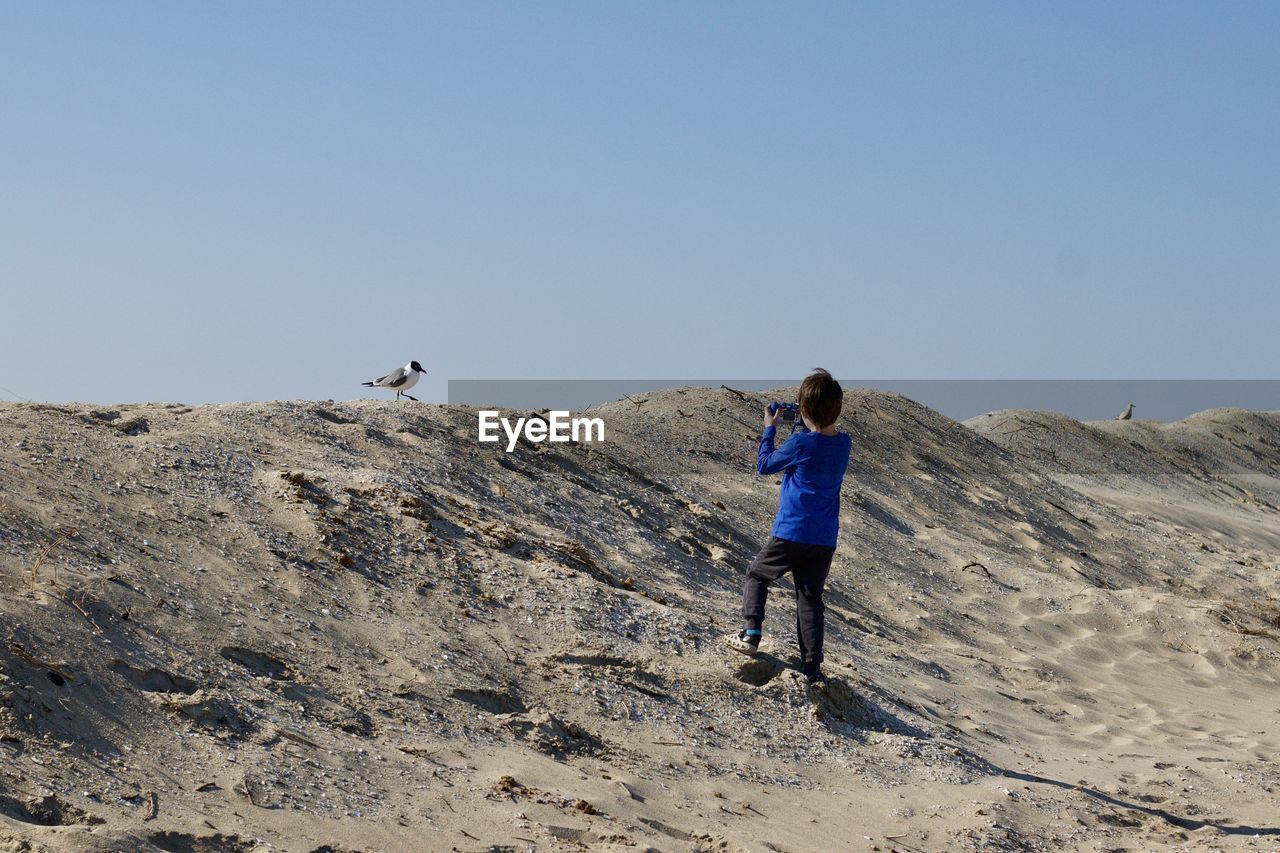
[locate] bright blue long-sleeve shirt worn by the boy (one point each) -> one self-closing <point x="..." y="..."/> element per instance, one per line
<point x="813" y="468"/>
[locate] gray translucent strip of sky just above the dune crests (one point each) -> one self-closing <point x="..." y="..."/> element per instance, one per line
<point x="959" y="399"/>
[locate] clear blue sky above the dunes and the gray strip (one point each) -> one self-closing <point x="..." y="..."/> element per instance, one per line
<point x="262" y="200"/>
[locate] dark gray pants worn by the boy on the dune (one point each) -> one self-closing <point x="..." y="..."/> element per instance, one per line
<point x="808" y="567"/>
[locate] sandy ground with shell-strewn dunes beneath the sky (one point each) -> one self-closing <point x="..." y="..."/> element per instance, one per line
<point x="340" y="627"/>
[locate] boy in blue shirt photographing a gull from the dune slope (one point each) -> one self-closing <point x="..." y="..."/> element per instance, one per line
<point x="808" y="522"/>
